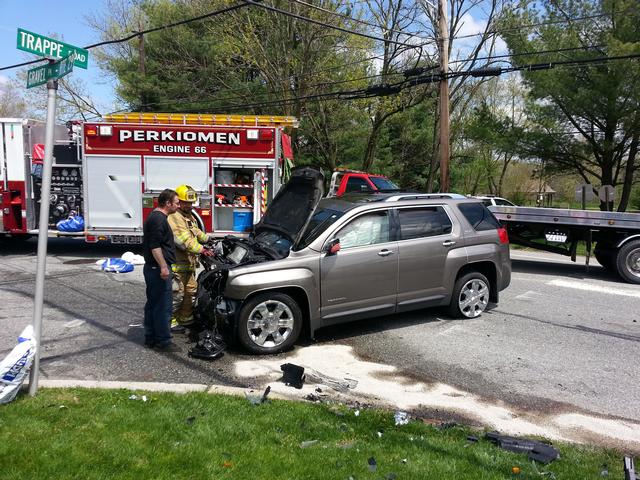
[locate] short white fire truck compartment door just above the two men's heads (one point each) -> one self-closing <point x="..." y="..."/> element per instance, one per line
<point x="163" y="172"/>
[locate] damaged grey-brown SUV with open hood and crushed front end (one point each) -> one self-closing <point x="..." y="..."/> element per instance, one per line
<point x="314" y="262"/>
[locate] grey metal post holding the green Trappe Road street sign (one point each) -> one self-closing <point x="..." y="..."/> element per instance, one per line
<point x="43" y="228"/>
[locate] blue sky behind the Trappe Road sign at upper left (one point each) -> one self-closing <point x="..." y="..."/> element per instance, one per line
<point x="46" y="17"/>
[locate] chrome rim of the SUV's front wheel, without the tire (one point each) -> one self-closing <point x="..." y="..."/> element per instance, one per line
<point x="270" y="323"/>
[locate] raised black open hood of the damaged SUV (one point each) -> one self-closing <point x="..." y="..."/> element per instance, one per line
<point x="291" y="209"/>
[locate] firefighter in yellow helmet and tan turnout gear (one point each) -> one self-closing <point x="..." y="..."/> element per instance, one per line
<point x="189" y="240"/>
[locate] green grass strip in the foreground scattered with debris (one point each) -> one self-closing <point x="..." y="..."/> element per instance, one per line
<point x="96" y="434"/>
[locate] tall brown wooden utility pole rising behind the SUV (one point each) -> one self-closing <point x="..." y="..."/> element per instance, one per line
<point x="443" y="34"/>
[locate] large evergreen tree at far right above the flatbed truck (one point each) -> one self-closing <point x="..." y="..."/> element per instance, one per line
<point x="585" y="116"/>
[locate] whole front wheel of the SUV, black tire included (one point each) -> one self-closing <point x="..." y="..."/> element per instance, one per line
<point x="269" y="323"/>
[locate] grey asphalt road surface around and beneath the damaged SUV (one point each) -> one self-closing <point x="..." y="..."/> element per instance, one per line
<point x="561" y="340"/>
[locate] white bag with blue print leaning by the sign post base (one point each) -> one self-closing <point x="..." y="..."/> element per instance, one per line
<point x="16" y="365"/>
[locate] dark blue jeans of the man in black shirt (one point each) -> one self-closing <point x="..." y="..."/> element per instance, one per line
<point x="157" y="310"/>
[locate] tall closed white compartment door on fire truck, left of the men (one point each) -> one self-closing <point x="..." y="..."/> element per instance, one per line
<point x="113" y="192"/>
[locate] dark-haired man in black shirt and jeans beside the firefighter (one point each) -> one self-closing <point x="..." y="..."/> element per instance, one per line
<point x="159" y="253"/>
